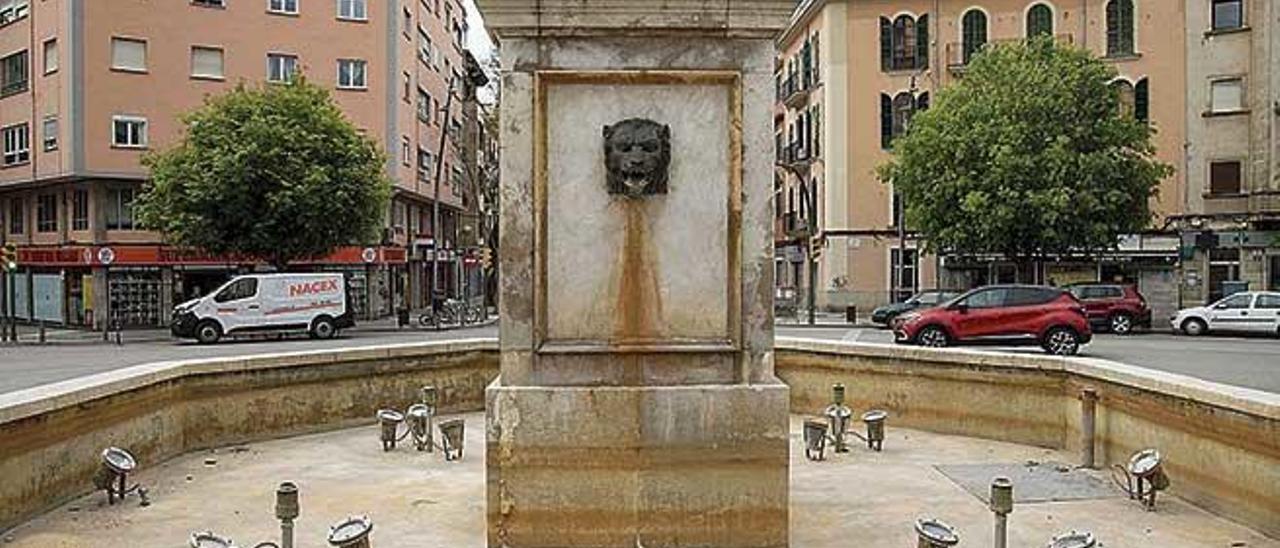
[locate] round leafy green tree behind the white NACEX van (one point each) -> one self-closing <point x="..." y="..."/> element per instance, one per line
<point x="273" y="172"/>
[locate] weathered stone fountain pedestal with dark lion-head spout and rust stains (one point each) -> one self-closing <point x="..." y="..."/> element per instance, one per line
<point x="637" y="404"/>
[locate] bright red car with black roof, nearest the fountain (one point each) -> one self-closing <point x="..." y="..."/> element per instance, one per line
<point x="1048" y="317"/>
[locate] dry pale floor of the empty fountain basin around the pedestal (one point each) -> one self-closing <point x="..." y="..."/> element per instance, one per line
<point x="417" y="500"/>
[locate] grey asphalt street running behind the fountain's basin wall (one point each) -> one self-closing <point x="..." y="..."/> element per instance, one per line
<point x="1252" y="363"/>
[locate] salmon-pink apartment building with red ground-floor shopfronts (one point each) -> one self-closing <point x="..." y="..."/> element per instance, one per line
<point x="89" y="88"/>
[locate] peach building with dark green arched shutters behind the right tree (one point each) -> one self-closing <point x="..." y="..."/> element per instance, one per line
<point x="853" y="72"/>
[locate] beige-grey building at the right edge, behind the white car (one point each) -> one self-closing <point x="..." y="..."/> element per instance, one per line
<point x="1232" y="222"/>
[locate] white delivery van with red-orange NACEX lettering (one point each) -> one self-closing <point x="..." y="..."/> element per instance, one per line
<point x="267" y="303"/>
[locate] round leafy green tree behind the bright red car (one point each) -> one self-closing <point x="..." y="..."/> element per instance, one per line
<point x="1027" y="156"/>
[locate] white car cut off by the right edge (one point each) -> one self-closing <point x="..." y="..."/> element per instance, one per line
<point x="1241" y="313"/>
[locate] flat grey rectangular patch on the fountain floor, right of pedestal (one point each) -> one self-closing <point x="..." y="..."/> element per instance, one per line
<point x="1034" y="482"/>
